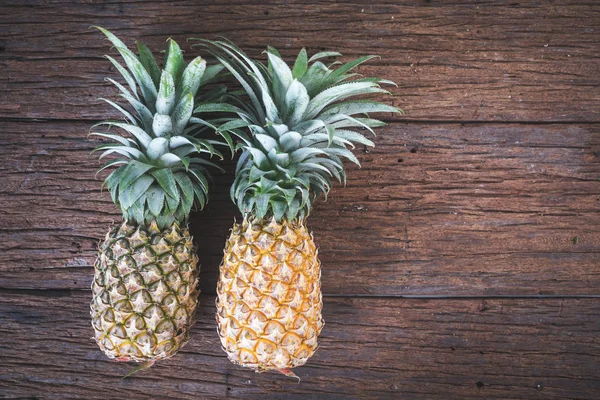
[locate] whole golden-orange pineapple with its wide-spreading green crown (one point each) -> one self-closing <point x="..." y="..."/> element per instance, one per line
<point x="300" y="126"/>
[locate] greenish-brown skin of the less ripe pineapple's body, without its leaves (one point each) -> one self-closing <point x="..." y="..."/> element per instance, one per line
<point x="144" y="292"/>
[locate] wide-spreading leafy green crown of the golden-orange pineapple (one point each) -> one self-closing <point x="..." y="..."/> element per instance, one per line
<point x="301" y="125"/>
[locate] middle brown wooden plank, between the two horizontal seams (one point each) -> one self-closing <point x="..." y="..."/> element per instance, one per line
<point x="472" y="210"/>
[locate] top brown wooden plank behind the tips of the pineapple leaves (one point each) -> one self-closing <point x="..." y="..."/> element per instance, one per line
<point x="453" y="60"/>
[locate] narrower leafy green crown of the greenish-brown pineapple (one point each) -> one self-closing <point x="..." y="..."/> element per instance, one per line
<point x="161" y="165"/>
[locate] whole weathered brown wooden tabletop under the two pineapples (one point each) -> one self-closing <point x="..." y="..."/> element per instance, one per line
<point x="461" y="262"/>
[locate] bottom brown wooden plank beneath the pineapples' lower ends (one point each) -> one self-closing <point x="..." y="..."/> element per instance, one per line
<point x="370" y="348"/>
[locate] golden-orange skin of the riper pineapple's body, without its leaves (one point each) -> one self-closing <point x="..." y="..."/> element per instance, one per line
<point x="269" y="295"/>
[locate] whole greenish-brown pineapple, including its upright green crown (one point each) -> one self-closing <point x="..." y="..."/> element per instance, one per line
<point x="146" y="275"/>
